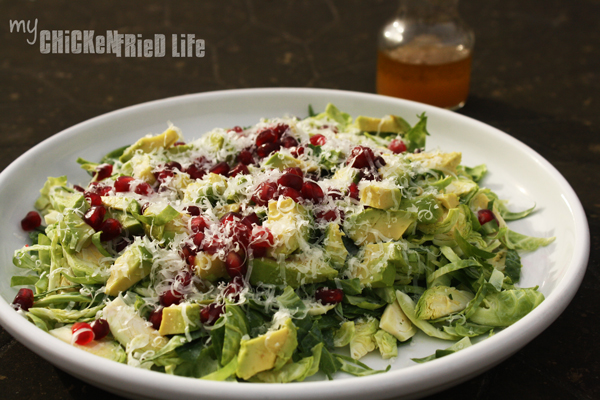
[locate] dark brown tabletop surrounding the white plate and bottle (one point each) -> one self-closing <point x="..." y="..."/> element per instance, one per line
<point x="535" y="76"/>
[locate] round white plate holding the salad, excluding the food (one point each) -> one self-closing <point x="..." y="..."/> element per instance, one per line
<point x="516" y="173"/>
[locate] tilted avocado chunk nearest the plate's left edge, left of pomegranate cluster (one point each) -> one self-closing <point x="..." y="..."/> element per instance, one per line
<point x="131" y="267"/>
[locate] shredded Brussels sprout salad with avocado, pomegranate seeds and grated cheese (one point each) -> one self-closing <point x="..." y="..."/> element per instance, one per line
<point x="259" y="253"/>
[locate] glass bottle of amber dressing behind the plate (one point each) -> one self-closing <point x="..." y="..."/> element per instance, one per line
<point x="424" y="54"/>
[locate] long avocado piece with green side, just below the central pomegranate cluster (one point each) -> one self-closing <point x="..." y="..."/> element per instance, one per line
<point x="294" y="271"/>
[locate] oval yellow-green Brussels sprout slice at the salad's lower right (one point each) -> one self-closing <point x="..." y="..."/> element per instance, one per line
<point x="441" y="301"/>
